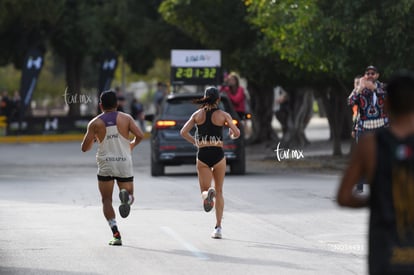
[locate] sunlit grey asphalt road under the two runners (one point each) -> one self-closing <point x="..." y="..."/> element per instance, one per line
<point x="51" y="220"/>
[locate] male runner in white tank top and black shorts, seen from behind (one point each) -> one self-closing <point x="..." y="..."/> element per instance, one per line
<point x="111" y="129"/>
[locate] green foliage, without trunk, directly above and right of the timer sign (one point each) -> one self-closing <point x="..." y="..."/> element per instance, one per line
<point x="222" y="25"/>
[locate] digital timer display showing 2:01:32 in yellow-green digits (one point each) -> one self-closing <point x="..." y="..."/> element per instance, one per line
<point x="195" y="75"/>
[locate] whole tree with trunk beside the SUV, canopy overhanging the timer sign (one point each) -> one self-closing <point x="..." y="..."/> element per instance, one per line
<point x="221" y="24"/>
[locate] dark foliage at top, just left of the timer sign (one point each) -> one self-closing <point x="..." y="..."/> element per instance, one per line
<point x="141" y="36"/>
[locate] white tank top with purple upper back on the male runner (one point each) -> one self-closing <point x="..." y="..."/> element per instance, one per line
<point x="114" y="151"/>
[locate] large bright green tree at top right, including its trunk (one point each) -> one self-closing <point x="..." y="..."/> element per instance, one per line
<point x="334" y="41"/>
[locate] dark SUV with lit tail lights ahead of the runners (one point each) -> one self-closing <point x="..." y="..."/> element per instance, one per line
<point x="169" y="148"/>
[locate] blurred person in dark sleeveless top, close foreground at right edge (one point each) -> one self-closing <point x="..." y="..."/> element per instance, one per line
<point x="385" y="157"/>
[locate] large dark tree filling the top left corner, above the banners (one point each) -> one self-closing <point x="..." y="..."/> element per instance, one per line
<point x="69" y="27"/>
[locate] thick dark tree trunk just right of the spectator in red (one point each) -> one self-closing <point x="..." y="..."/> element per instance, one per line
<point x="261" y="100"/>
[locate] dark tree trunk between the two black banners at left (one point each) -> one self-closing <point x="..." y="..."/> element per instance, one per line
<point x="73" y="93"/>
